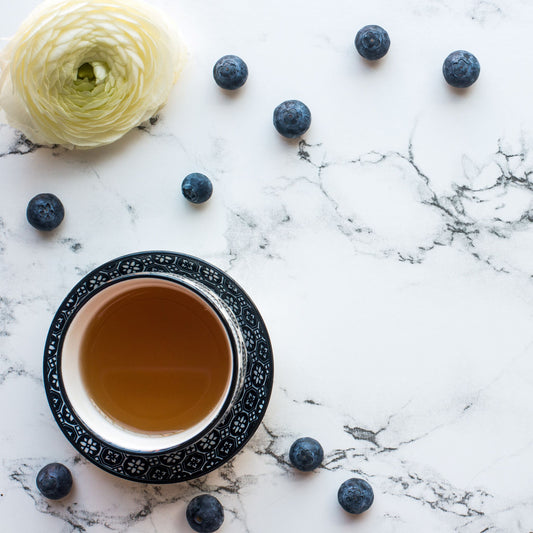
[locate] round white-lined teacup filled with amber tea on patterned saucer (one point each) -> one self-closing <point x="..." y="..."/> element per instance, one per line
<point x="78" y="340"/>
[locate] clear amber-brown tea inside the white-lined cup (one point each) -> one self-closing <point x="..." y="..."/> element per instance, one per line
<point x="156" y="358"/>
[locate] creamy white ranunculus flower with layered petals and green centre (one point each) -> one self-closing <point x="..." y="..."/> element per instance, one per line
<point x="82" y="73"/>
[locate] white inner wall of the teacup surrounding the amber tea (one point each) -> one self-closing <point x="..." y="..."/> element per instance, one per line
<point x="75" y="387"/>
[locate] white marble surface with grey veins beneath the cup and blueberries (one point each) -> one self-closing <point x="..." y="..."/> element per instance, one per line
<point x="390" y="253"/>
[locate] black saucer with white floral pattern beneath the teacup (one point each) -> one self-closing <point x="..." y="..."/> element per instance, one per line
<point x="227" y="438"/>
